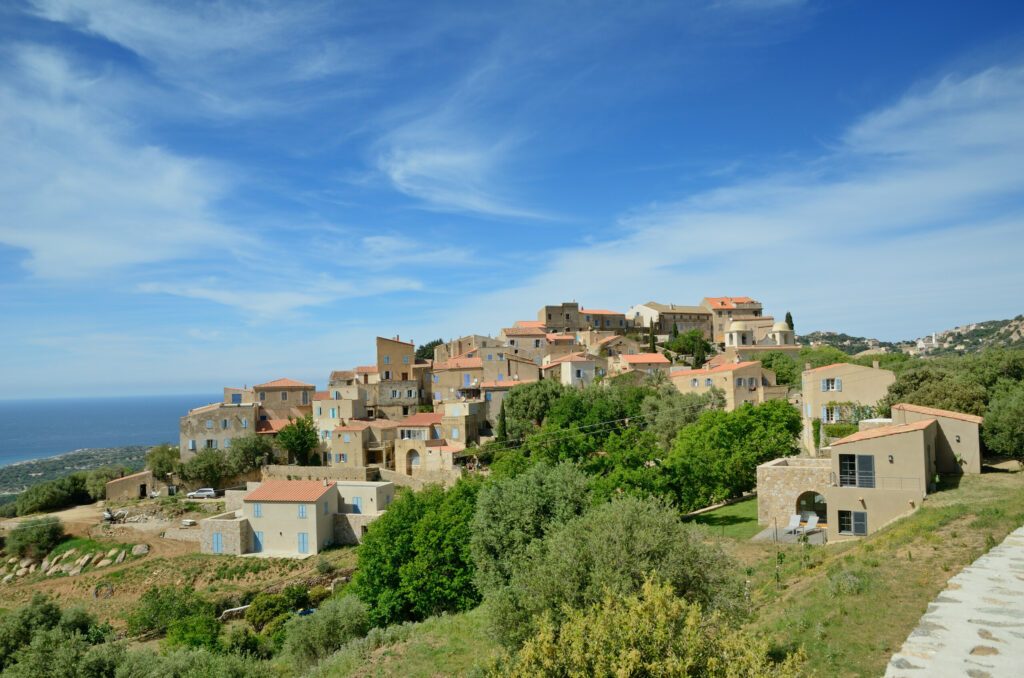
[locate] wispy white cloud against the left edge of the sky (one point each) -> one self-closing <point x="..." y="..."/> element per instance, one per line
<point x="80" y="195"/>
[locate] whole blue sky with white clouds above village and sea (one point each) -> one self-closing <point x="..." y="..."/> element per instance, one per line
<point x="199" y="195"/>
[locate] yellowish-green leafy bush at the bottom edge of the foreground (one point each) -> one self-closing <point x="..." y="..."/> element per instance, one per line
<point x="651" y="633"/>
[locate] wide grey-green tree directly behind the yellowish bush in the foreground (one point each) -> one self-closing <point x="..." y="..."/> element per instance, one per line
<point x="613" y="550"/>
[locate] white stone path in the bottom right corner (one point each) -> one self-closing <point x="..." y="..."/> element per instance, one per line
<point x="975" y="627"/>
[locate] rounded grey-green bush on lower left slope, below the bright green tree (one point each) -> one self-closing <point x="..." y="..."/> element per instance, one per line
<point x="309" y="640"/>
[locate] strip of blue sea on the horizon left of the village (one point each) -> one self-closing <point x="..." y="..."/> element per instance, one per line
<point x="39" y="429"/>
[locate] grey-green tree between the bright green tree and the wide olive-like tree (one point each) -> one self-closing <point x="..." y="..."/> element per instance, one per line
<point x="514" y="513"/>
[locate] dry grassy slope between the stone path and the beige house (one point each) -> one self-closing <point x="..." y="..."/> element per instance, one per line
<point x="851" y="606"/>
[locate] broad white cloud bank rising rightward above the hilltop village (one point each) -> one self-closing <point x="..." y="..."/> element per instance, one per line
<point x="913" y="221"/>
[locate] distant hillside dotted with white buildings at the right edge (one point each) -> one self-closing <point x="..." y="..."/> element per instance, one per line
<point x="965" y="340"/>
